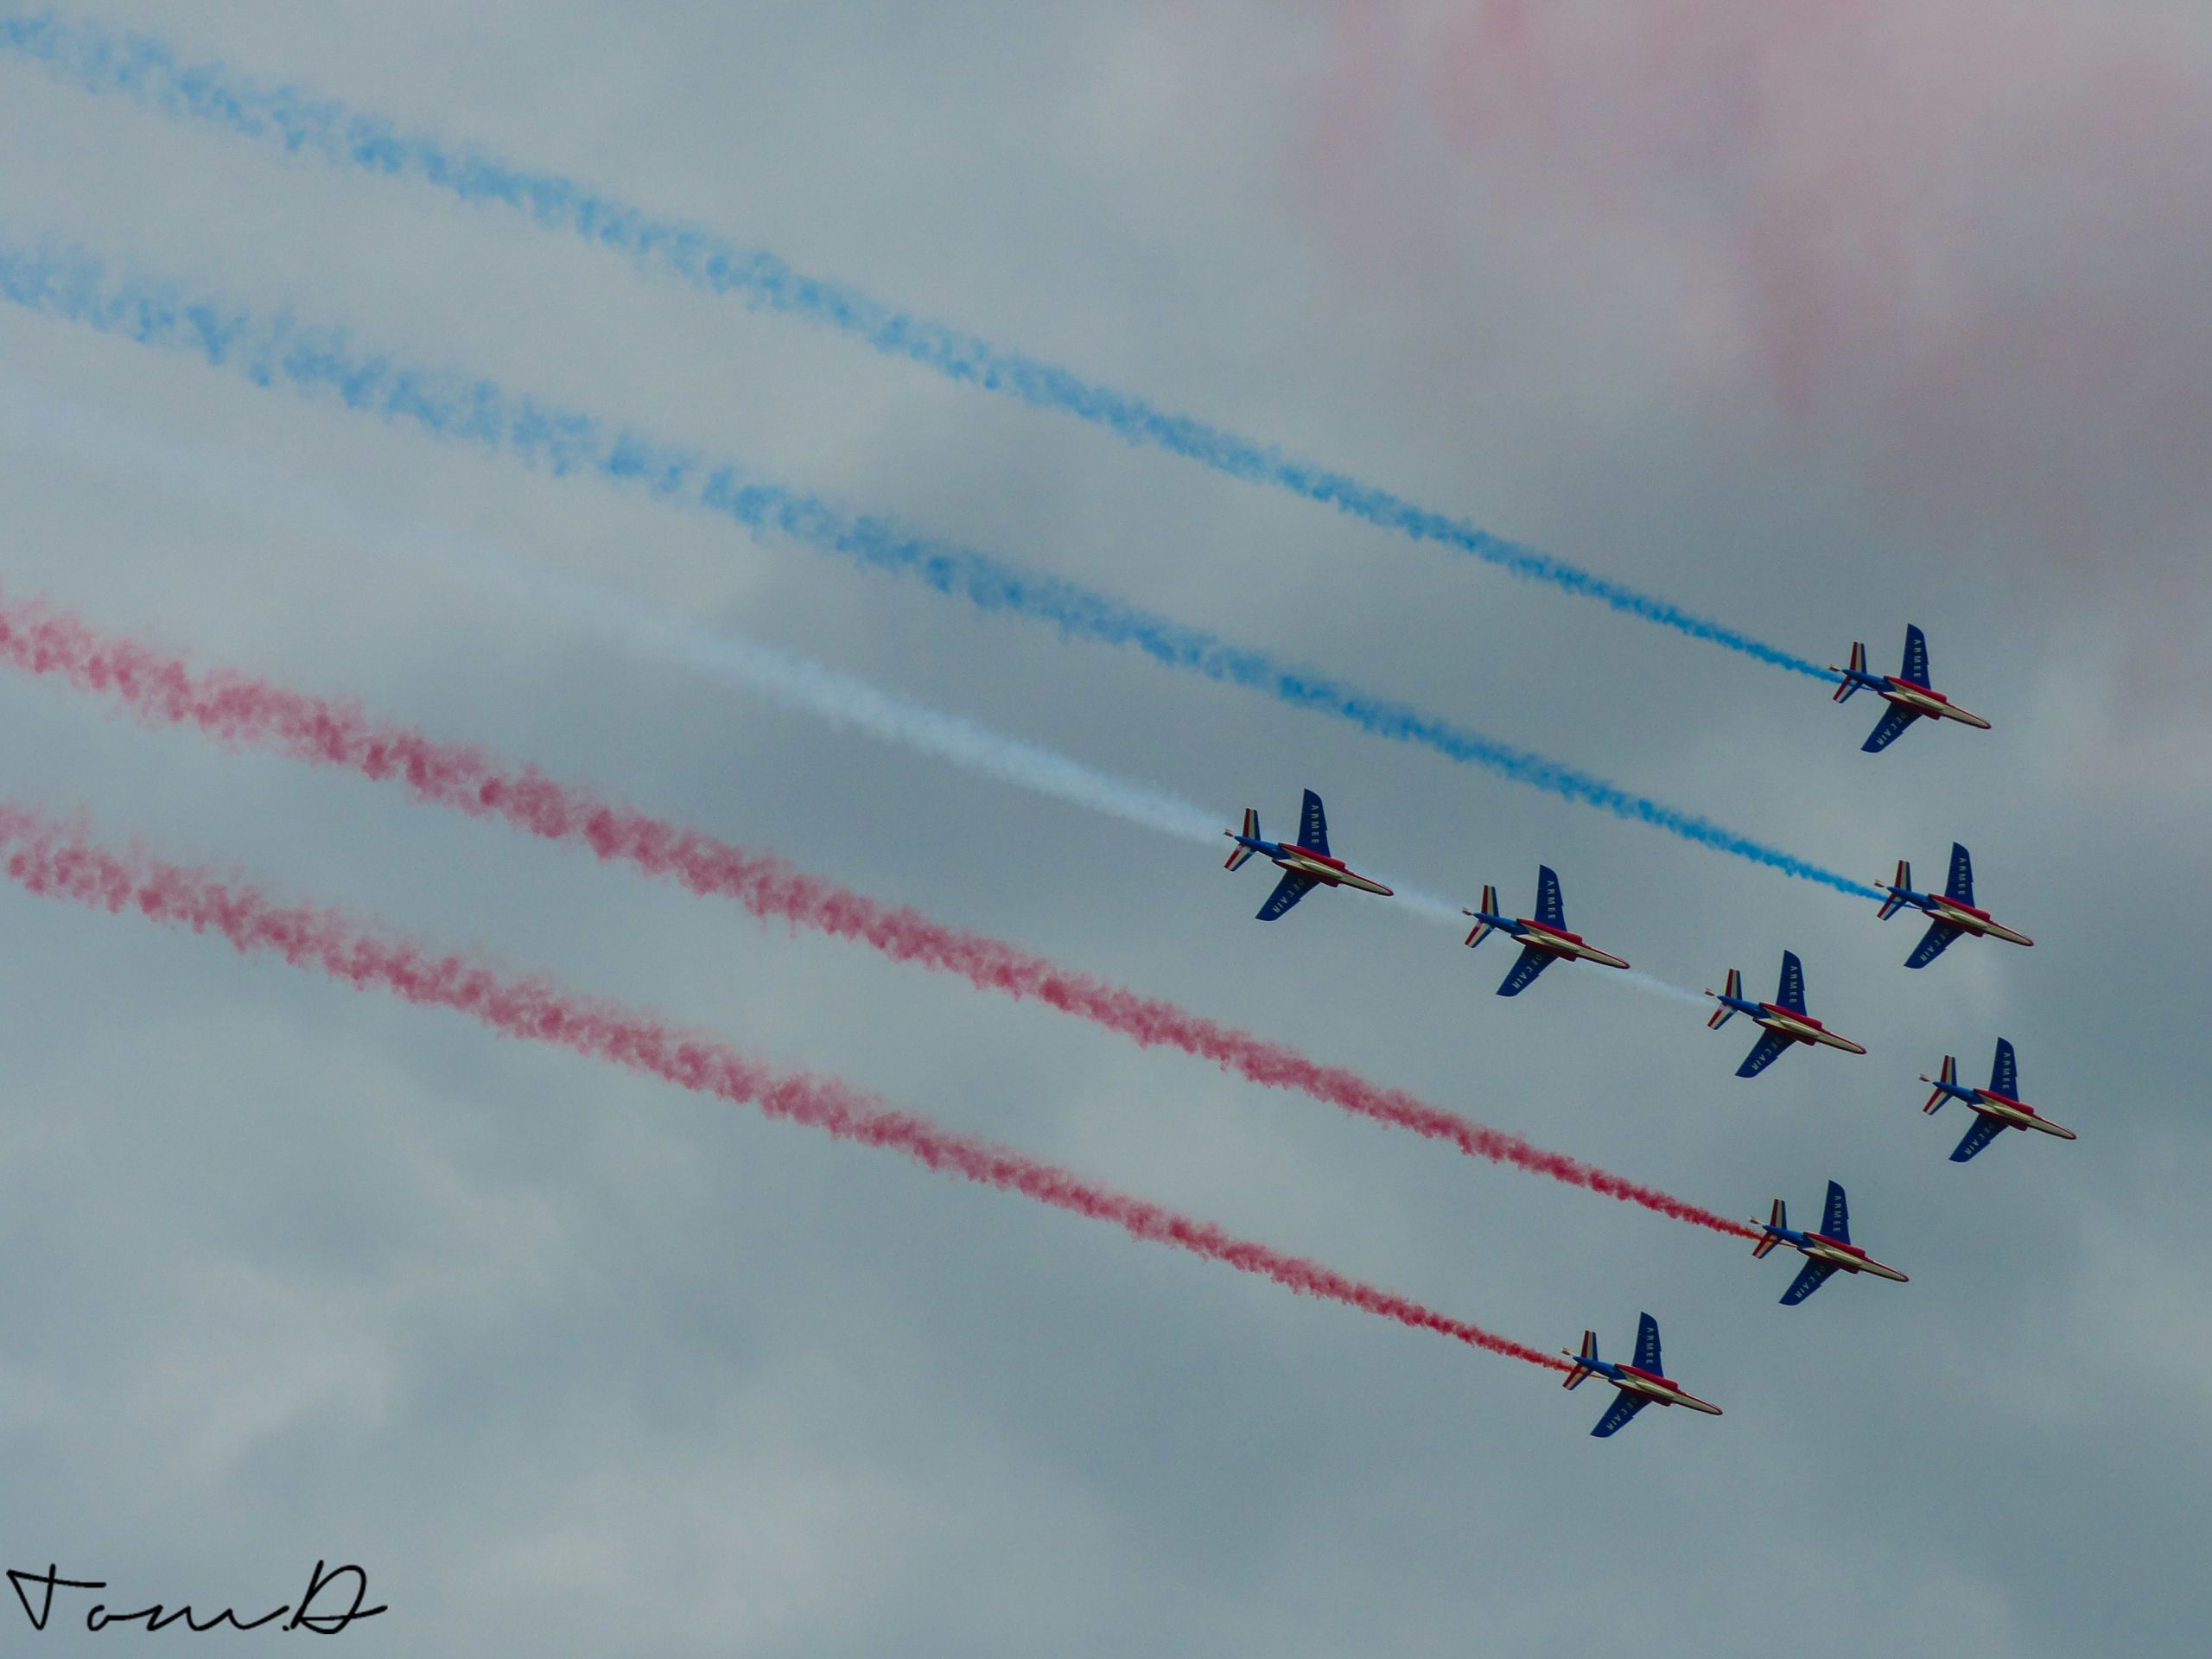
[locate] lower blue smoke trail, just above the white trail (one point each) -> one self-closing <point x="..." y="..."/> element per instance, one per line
<point x="474" y="413"/>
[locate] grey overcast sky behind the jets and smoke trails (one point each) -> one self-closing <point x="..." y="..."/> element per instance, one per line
<point x="1828" y="326"/>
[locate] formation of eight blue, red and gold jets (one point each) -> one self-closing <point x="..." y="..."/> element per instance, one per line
<point x="1545" y="939"/>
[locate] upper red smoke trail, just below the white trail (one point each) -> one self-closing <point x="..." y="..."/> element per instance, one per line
<point x="242" y="709"/>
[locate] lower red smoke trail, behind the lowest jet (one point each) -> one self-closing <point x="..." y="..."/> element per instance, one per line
<point x="59" y="862"/>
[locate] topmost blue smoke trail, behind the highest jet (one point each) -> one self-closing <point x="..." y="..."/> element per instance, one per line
<point x="147" y="72"/>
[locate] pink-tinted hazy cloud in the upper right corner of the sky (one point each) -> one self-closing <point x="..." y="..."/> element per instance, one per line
<point x="1963" y="238"/>
